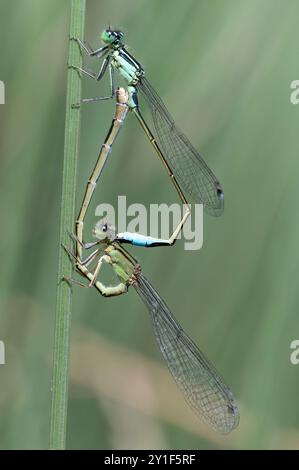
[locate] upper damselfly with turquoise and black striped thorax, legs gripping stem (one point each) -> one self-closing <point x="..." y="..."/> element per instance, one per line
<point x="186" y="168"/>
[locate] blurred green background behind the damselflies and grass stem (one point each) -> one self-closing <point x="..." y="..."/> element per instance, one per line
<point x="224" y="69"/>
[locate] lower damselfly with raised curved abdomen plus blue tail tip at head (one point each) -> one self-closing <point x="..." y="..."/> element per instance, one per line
<point x="200" y="383"/>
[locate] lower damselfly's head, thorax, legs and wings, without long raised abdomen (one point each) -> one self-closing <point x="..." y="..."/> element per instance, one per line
<point x="200" y="383"/>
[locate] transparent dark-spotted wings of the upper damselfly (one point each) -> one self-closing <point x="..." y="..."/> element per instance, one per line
<point x="192" y="173"/>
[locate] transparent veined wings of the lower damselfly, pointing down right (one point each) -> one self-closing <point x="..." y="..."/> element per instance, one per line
<point x="202" y="386"/>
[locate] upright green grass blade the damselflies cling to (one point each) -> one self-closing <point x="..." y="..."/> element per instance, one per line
<point x="64" y="293"/>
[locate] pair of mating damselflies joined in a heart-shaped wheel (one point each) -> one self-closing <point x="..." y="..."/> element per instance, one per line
<point x="202" y="386"/>
